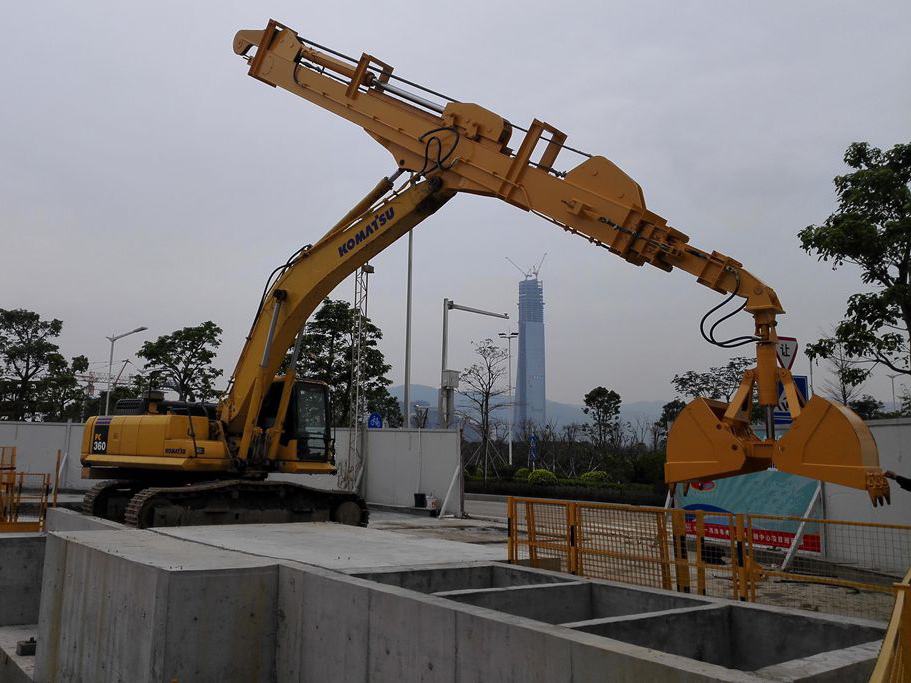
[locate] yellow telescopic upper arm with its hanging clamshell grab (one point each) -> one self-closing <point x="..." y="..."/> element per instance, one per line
<point x="467" y="148"/>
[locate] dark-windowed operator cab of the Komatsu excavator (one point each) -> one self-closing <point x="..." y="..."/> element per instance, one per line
<point x="306" y="432"/>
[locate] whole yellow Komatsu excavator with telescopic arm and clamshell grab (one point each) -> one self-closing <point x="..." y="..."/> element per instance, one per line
<point x="173" y="463"/>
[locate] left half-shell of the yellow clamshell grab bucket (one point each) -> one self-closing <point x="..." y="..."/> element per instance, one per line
<point x="703" y="446"/>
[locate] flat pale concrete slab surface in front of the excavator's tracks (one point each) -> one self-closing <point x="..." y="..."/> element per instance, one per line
<point x="333" y="546"/>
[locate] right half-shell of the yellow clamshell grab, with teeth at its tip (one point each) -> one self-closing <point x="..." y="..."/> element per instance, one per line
<point x="831" y="443"/>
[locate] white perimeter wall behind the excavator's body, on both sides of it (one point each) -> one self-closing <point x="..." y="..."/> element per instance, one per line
<point x="400" y="462"/>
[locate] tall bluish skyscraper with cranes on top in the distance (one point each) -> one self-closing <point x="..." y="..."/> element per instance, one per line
<point x="530" y="395"/>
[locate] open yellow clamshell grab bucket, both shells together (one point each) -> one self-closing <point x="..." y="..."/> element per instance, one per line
<point x="826" y="441"/>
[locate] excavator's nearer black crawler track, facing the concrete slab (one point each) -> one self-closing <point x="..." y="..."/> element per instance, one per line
<point x="242" y="502"/>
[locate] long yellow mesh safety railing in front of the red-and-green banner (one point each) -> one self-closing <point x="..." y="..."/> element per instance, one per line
<point x="837" y="567"/>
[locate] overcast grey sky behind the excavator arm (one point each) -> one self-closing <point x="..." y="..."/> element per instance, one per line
<point x="145" y="179"/>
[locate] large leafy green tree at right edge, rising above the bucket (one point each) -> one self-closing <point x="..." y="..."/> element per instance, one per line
<point x="870" y="229"/>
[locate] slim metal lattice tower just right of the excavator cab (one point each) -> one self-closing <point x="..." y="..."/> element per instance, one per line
<point x="350" y="475"/>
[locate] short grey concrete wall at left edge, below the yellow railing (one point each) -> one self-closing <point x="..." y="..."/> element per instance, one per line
<point x="21" y="560"/>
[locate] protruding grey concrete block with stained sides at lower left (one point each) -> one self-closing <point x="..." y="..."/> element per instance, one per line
<point x="144" y="607"/>
